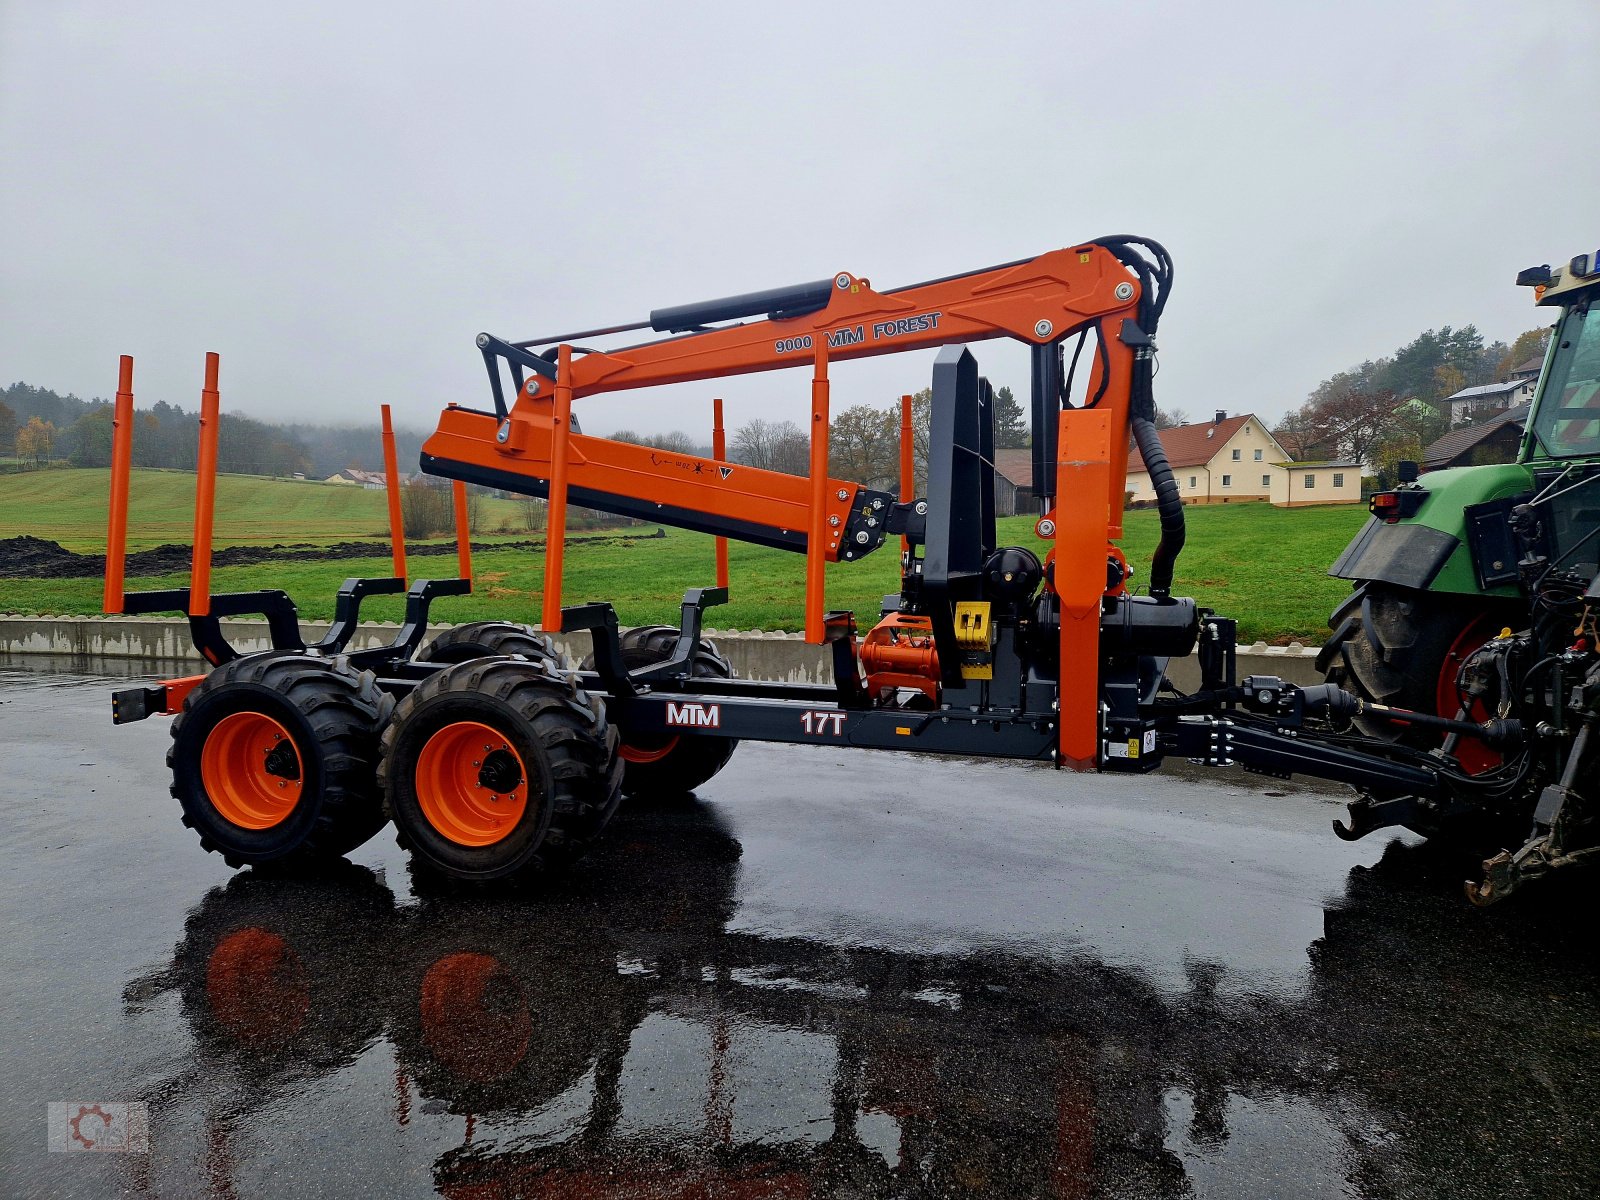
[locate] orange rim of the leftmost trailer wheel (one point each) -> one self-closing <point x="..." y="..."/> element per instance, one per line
<point x="252" y="770"/>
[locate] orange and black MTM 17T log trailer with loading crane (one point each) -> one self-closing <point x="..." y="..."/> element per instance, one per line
<point x="495" y="759"/>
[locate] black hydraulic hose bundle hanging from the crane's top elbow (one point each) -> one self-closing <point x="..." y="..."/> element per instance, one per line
<point x="1158" y="284"/>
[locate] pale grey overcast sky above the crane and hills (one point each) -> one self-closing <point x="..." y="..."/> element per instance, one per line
<point x="340" y="196"/>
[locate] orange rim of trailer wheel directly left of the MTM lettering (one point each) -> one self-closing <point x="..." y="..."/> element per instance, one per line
<point x="471" y="785"/>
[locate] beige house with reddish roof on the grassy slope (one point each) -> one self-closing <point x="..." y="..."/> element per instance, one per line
<point x="1230" y="458"/>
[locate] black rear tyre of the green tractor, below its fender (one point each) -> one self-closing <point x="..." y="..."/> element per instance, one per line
<point x="1404" y="649"/>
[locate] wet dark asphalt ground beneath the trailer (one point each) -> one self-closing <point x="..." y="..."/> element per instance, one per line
<point x="828" y="975"/>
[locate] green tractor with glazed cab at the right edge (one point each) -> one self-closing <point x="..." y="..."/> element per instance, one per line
<point x="1436" y="569"/>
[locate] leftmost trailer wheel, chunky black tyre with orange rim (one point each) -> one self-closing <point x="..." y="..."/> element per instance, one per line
<point x="274" y="759"/>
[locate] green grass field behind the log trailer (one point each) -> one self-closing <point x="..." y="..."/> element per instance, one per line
<point x="1263" y="566"/>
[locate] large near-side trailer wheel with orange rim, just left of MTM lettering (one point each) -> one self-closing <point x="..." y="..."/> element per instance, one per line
<point x="498" y="767"/>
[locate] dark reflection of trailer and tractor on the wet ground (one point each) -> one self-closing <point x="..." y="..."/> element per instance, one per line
<point x="618" y="1039"/>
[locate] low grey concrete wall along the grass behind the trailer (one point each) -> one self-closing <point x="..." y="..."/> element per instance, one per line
<point x="754" y="655"/>
